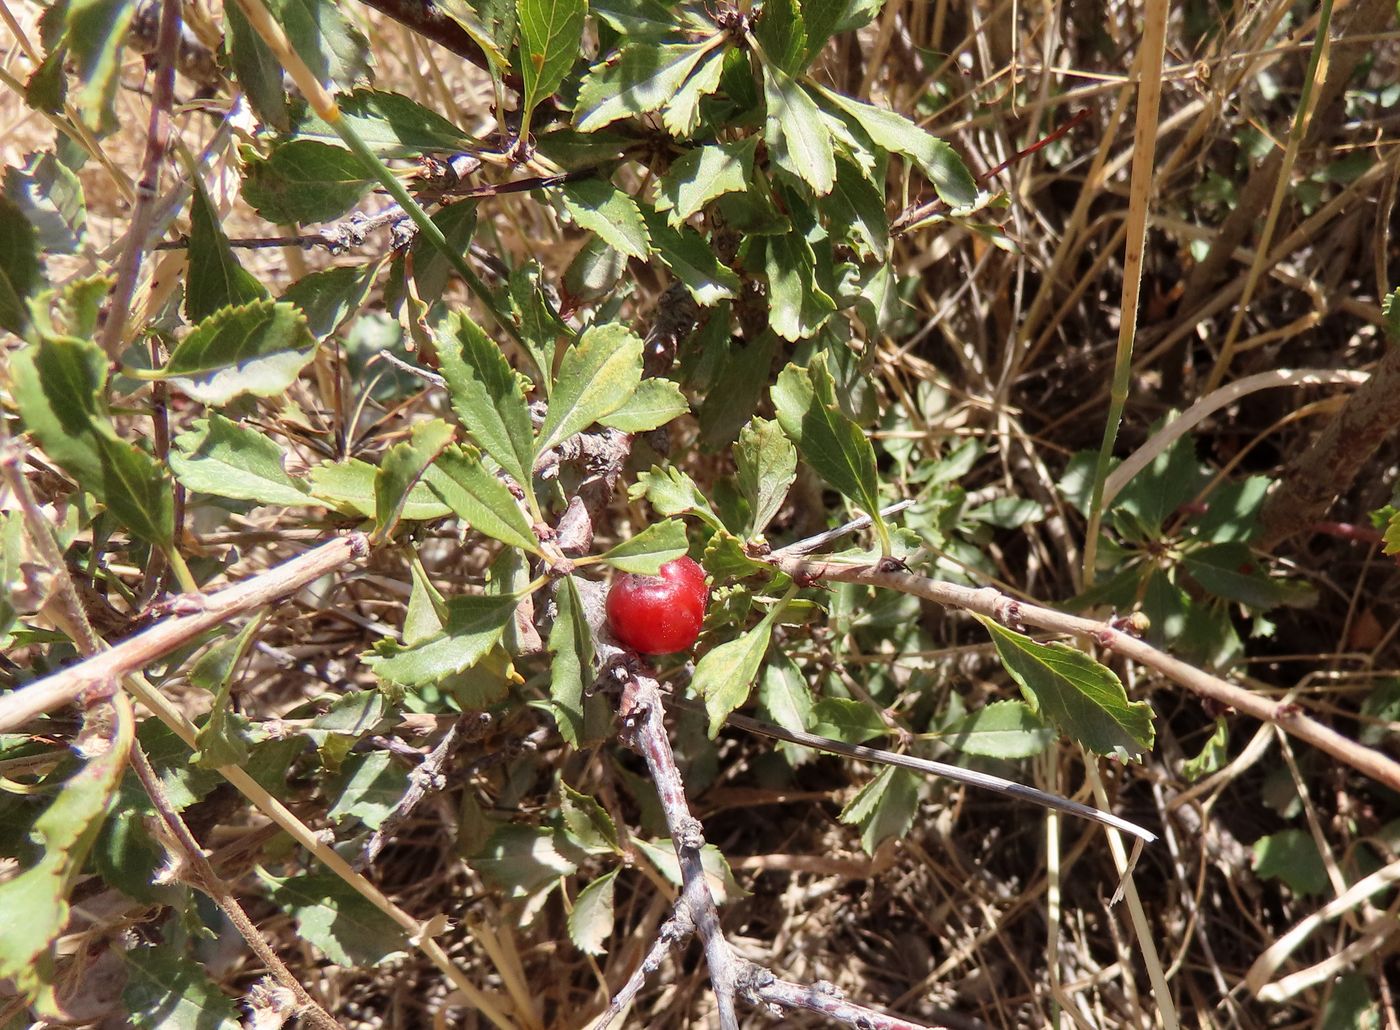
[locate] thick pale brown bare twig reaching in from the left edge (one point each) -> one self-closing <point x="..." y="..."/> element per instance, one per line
<point x="216" y="609"/>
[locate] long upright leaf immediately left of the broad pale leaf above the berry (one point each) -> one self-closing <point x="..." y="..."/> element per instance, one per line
<point x="486" y="395"/>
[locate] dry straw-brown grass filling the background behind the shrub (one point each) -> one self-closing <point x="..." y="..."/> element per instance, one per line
<point x="985" y="916"/>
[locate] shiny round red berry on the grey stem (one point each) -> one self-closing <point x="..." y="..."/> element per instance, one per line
<point x="657" y="615"/>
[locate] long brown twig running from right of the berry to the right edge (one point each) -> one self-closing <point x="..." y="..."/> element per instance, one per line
<point x="1009" y="611"/>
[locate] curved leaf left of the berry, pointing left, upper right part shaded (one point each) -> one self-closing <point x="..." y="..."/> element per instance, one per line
<point x="474" y="626"/>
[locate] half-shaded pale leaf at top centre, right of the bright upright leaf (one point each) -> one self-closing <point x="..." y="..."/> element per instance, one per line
<point x="635" y="82"/>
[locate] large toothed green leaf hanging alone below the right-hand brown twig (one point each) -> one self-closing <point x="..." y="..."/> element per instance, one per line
<point x="1084" y="699"/>
